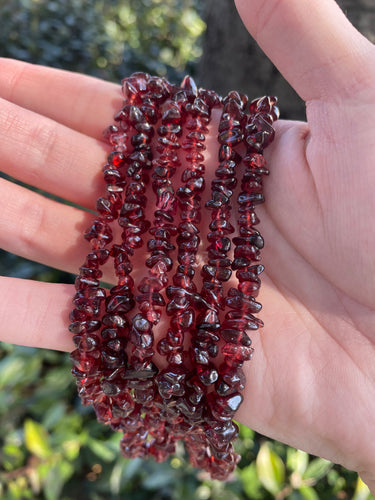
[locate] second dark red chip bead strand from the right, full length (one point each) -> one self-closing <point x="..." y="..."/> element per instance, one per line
<point x="219" y="431"/>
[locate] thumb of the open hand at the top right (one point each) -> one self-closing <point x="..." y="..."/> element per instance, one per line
<point x="312" y="43"/>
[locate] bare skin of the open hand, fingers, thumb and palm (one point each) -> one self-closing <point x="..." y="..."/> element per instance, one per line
<point x="311" y="382"/>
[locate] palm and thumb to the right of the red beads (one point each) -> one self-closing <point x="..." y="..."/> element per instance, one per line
<point x="312" y="381"/>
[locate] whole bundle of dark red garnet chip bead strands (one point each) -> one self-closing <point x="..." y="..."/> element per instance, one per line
<point x="155" y="178"/>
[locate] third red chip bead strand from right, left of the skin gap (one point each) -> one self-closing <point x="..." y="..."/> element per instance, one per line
<point x="178" y="381"/>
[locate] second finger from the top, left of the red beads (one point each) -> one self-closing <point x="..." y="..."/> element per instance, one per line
<point x="50" y="156"/>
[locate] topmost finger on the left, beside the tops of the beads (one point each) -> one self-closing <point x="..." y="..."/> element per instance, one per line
<point x="83" y="103"/>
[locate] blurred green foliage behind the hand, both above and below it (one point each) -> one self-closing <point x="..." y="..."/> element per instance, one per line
<point x="50" y="446"/>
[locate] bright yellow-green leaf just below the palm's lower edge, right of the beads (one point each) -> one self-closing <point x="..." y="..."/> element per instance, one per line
<point x="270" y="469"/>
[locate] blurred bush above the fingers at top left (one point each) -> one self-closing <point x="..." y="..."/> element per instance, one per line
<point x="107" y="38"/>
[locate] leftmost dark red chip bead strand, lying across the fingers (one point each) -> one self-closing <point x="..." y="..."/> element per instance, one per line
<point x="86" y="319"/>
